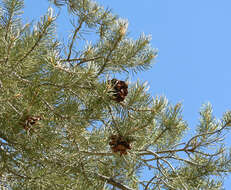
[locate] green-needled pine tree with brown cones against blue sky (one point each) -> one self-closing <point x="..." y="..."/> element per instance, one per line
<point x="66" y="121"/>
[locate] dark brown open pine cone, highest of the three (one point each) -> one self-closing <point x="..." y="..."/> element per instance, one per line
<point x="120" y="89"/>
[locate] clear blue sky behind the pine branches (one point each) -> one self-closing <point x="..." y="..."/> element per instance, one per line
<point x="194" y="42"/>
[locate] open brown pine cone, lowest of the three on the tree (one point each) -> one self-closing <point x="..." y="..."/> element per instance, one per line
<point x="119" y="144"/>
